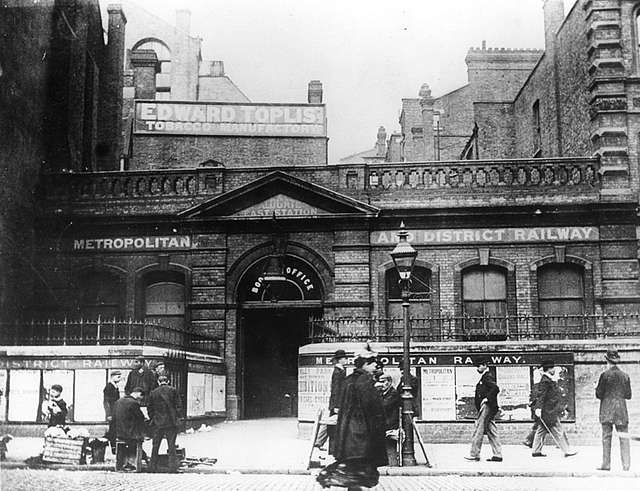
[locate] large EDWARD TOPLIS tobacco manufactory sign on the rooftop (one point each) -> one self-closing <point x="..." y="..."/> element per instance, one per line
<point x="208" y="119"/>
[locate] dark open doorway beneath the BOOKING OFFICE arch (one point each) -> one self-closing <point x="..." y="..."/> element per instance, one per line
<point x="271" y="338"/>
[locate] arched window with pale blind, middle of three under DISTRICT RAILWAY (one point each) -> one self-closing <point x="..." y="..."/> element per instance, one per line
<point x="484" y="291"/>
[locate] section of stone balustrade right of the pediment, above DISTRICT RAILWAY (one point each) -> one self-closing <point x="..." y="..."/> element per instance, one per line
<point x="477" y="175"/>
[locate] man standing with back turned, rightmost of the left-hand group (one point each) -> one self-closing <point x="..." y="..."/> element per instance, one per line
<point x="164" y="406"/>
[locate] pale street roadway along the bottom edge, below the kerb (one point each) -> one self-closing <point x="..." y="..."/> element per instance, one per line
<point x="35" y="480"/>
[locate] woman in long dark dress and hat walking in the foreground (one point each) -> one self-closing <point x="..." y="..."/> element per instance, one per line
<point x="360" y="432"/>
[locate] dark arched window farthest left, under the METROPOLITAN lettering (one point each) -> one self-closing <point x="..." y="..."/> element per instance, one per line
<point x="101" y="294"/>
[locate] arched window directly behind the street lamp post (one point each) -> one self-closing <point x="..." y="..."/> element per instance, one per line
<point x="420" y="289"/>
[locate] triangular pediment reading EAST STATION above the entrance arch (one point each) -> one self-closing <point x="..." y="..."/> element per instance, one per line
<point x="282" y="195"/>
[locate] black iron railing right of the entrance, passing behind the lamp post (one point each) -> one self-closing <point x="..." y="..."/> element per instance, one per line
<point x="465" y="328"/>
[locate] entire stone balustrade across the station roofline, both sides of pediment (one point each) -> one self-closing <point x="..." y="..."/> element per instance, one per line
<point x="468" y="177"/>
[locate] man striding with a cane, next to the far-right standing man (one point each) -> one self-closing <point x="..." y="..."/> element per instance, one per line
<point x="548" y="408"/>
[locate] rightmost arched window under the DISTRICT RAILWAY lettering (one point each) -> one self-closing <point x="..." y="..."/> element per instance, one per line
<point x="561" y="289"/>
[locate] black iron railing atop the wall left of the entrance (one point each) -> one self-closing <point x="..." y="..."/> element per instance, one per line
<point x="105" y="332"/>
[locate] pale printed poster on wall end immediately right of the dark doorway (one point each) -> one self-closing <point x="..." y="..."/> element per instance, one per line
<point x="314" y="388"/>
